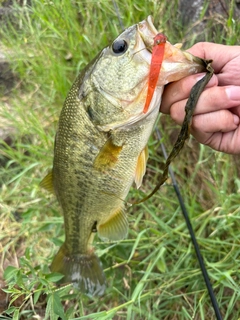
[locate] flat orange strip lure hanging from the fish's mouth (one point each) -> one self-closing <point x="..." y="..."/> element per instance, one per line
<point x="156" y="62"/>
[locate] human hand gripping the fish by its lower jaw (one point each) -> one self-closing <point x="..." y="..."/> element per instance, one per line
<point x="216" y="120"/>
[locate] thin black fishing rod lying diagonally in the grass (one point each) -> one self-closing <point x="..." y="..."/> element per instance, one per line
<point x="192" y="234"/>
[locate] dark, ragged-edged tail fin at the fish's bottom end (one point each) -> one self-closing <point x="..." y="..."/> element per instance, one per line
<point x="83" y="270"/>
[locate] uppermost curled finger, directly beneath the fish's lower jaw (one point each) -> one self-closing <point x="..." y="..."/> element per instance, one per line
<point x="180" y="90"/>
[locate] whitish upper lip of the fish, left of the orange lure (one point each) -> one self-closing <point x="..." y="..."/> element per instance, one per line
<point x="147" y="32"/>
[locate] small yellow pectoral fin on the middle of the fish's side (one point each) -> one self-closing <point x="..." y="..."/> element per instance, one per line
<point x="108" y="156"/>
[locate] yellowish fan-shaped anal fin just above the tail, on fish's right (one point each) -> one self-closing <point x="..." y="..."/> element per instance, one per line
<point x="115" y="228"/>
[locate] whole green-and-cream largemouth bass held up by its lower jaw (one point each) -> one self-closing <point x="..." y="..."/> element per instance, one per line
<point x="100" y="146"/>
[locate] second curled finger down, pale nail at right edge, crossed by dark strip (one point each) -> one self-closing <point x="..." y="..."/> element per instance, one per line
<point x="211" y="99"/>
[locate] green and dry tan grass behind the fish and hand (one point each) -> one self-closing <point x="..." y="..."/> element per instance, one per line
<point x="153" y="274"/>
